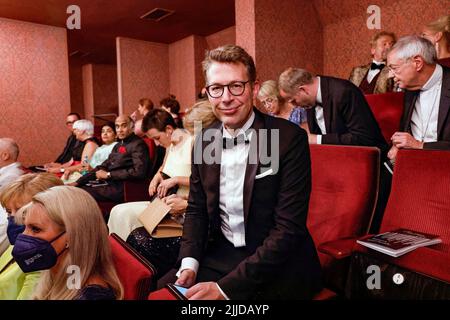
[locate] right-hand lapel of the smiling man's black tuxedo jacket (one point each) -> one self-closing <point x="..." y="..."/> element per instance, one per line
<point x="252" y="168"/>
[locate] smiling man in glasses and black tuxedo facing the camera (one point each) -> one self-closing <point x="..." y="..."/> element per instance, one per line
<point x="245" y="234"/>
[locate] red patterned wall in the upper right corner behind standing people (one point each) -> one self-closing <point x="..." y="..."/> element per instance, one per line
<point x="346" y="36"/>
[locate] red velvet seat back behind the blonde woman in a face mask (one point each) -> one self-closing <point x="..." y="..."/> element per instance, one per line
<point x="135" y="273"/>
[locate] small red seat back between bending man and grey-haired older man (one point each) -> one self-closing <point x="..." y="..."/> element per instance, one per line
<point x="387" y="109"/>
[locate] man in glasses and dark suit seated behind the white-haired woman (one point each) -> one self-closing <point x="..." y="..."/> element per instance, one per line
<point x="73" y="147"/>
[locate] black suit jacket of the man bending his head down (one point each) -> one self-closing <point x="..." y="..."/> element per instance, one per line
<point x="348" y="118"/>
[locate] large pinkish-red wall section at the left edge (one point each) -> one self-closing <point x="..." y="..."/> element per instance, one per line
<point x="34" y="88"/>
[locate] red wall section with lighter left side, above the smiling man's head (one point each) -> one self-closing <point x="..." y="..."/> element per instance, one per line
<point x="279" y="35"/>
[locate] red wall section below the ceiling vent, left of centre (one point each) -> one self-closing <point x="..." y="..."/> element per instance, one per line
<point x="142" y="70"/>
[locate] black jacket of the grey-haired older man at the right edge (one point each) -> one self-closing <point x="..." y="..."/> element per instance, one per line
<point x="443" y="131"/>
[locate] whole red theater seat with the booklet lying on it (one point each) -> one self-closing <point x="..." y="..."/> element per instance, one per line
<point x="419" y="201"/>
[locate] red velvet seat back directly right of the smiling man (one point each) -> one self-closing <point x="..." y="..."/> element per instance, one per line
<point x="344" y="192"/>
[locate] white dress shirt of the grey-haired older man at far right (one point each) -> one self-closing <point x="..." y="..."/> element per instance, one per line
<point x="424" y="119"/>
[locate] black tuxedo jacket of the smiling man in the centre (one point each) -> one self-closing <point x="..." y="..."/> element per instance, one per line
<point x="281" y="252"/>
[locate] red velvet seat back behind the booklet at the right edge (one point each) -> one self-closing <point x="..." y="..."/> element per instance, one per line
<point x="420" y="195"/>
